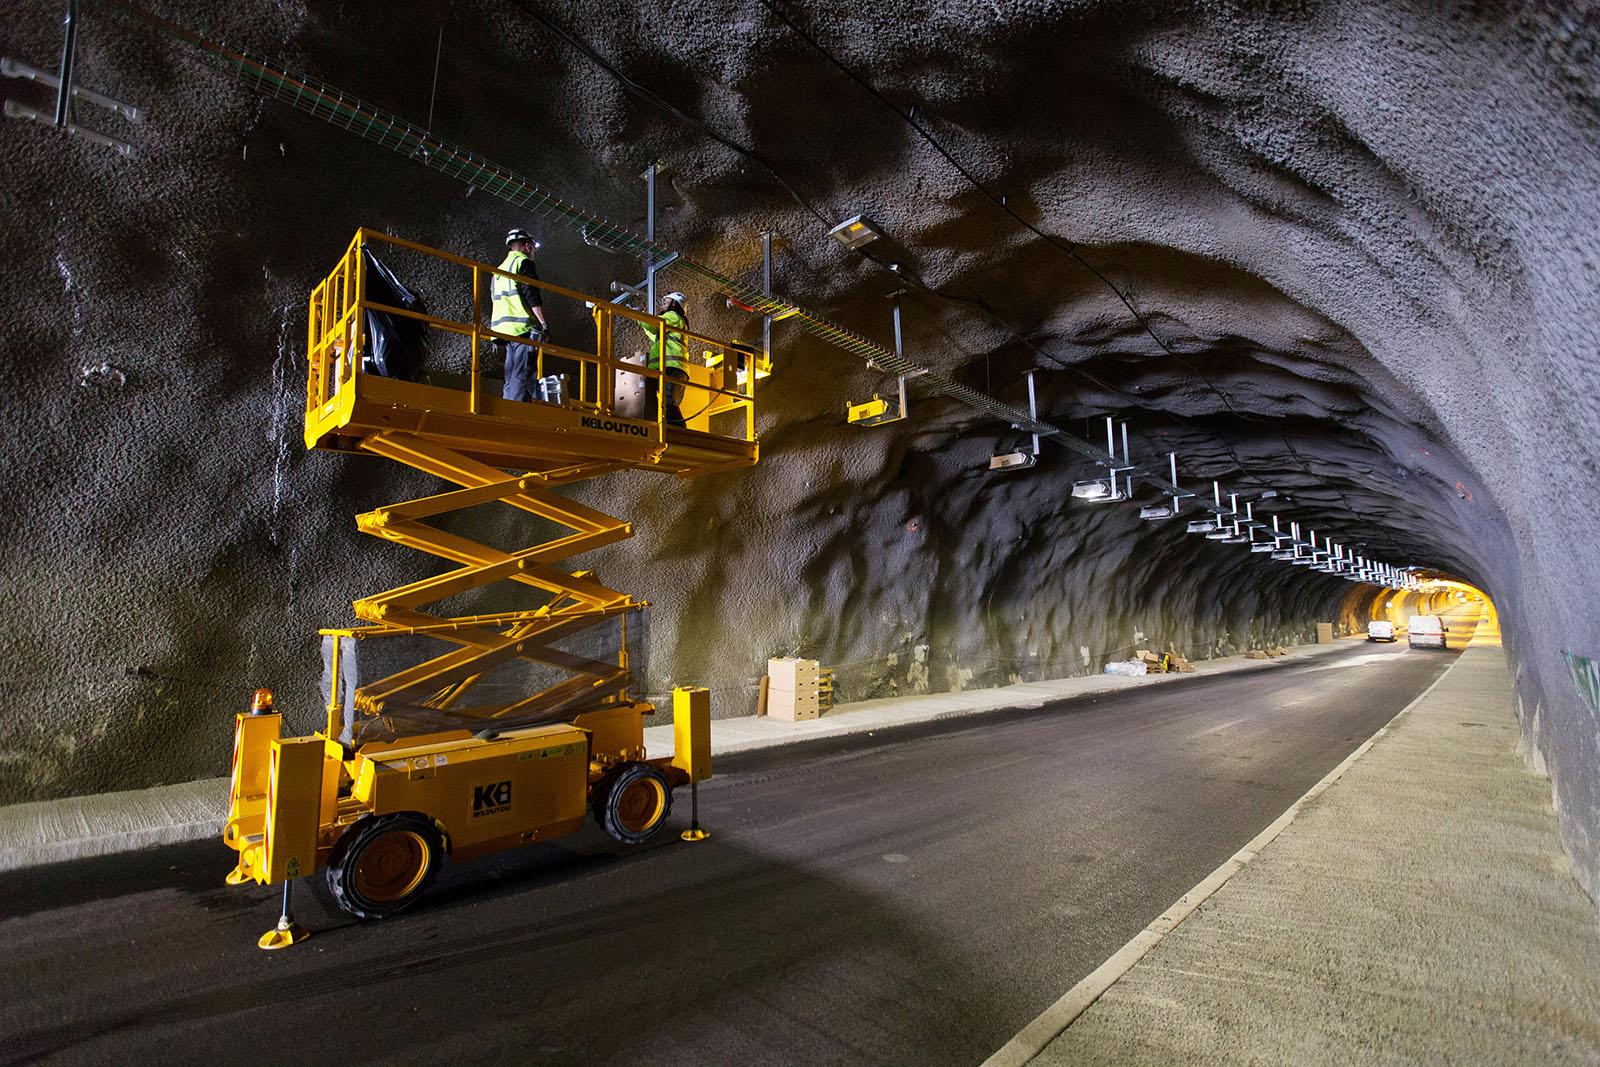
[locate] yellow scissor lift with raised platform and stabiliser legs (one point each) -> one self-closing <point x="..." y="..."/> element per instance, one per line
<point x="510" y="729"/>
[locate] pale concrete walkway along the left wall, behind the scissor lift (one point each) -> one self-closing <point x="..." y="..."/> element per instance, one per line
<point x="102" y="825"/>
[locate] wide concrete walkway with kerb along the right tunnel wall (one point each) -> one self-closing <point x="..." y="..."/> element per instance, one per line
<point x="1417" y="909"/>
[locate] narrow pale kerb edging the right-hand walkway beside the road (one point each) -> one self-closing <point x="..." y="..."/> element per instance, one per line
<point x="1033" y="1039"/>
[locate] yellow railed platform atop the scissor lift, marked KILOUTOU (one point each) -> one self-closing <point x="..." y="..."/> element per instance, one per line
<point x="346" y="407"/>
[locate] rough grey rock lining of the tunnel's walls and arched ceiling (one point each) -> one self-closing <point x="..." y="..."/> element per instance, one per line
<point x="1361" y="231"/>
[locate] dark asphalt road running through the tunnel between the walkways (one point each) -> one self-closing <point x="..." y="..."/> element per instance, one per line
<point x="910" y="897"/>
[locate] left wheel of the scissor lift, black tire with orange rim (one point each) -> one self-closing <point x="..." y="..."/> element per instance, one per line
<point x="366" y="893"/>
